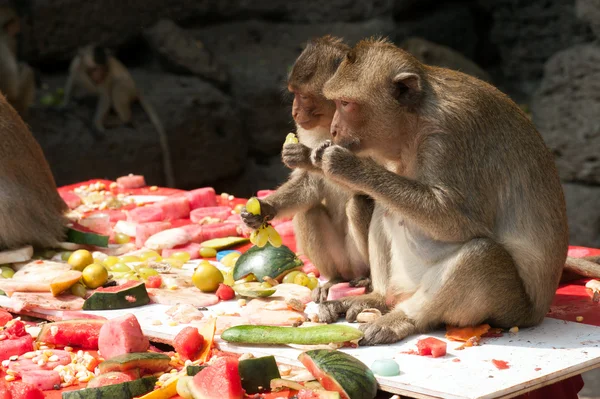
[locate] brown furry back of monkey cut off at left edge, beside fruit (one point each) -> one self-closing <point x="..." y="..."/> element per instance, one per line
<point x="31" y="211"/>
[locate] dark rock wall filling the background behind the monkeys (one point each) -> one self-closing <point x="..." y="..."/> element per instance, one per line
<point x="215" y="71"/>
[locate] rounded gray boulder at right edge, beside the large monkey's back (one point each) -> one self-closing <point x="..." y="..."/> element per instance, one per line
<point x="565" y="109"/>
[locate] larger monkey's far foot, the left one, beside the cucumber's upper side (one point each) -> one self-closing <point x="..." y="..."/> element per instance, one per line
<point x="330" y="311"/>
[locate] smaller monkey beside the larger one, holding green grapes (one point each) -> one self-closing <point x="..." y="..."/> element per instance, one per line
<point x="324" y="212"/>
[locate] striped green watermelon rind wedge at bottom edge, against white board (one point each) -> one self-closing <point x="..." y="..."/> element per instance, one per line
<point x="351" y="377"/>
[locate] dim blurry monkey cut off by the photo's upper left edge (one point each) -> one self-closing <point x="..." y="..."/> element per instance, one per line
<point x="17" y="79"/>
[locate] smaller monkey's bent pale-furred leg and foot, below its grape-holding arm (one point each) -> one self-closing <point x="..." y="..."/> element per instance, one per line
<point x="324" y="246"/>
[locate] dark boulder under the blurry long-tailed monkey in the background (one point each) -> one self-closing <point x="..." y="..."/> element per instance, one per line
<point x="204" y="132"/>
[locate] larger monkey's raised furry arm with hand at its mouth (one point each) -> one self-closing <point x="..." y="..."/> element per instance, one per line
<point x="434" y="208"/>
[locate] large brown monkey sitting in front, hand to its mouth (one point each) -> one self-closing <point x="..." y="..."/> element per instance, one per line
<point x="469" y="223"/>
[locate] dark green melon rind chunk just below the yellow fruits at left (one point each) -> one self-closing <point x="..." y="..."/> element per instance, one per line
<point x="128" y="295"/>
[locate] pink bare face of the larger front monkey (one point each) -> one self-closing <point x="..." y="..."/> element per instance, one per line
<point x="346" y="124"/>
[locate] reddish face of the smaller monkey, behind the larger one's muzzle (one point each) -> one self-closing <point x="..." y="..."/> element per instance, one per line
<point x="310" y="111"/>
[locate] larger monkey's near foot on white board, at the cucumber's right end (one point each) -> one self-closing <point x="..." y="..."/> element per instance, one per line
<point x="388" y="329"/>
